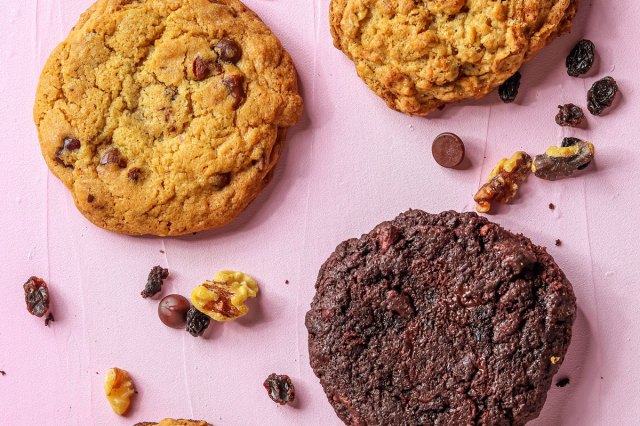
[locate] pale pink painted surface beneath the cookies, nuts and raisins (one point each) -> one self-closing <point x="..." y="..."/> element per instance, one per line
<point x="349" y="164"/>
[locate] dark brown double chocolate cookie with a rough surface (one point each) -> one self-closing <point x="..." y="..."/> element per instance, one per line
<point x="441" y="319"/>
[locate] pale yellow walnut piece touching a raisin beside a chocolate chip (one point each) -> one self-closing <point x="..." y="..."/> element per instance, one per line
<point x="223" y="298"/>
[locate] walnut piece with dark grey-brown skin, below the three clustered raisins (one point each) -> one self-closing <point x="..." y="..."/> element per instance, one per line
<point x="560" y="162"/>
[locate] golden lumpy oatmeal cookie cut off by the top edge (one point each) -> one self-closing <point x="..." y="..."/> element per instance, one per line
<point x="419" y="55"/>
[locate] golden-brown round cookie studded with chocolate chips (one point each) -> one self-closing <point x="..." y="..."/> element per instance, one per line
<point x="166" y="117"/>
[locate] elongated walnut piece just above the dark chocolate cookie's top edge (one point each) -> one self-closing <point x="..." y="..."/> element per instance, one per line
<point x="503" y="183"/>
